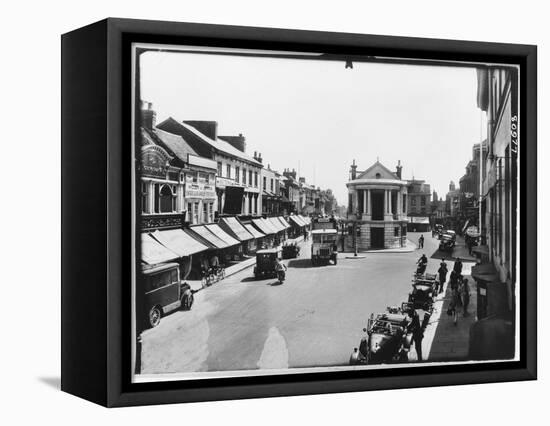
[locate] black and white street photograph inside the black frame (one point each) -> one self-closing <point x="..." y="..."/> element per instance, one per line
<point x="299" y="212"/>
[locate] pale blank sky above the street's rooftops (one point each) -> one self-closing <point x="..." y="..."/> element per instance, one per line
<point x="317" y="116"/>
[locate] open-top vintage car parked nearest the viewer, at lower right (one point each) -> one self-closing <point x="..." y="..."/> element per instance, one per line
<point x="387" y="340"/>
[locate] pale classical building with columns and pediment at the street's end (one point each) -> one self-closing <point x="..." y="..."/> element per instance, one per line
<point x="377" y="208"/>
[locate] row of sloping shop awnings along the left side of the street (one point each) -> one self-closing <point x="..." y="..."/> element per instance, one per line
<point x="230" y="240"/>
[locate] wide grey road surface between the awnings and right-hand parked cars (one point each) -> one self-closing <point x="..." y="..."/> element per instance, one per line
<point x="314" y="319"/>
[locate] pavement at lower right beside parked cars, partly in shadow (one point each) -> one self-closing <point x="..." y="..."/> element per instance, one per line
<point x="443" y="340"/>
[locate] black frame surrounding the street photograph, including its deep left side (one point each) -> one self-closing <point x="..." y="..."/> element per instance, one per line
<point x="96" y="243"/>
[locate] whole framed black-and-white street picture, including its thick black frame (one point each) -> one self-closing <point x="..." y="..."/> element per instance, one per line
<point x="254" y="212"/>
